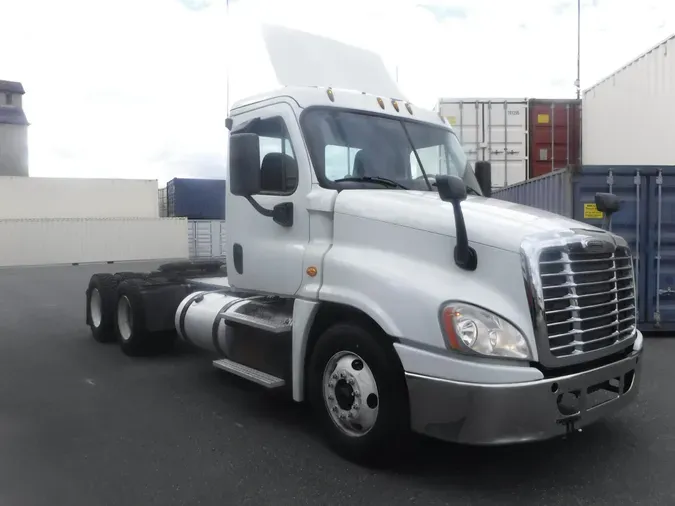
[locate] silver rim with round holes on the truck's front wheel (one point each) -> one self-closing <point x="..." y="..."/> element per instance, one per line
<point x="350" y="394"/>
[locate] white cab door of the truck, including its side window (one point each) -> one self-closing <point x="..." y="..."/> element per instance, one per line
<point x="263" y="255"/>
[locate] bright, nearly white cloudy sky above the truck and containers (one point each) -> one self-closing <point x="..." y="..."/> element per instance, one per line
<point x="138" y="88"/>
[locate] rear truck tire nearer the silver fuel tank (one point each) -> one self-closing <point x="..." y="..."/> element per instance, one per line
<point x="132" y="334"/>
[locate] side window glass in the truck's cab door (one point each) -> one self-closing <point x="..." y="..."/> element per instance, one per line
<point x="278" y="165"/>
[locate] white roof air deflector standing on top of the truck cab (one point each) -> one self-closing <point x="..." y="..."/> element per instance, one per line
<point x="303" y="59"/>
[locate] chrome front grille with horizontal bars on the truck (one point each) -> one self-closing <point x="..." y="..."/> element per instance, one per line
<point x="589" y="299"/>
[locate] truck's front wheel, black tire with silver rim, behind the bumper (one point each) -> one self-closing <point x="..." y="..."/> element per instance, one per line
<point x="357" y="389"/>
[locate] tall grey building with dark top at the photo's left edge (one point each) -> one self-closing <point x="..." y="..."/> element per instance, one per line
<point x="13" y="130"/>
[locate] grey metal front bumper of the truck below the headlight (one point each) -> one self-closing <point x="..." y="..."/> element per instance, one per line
<point x="492" y="414"/>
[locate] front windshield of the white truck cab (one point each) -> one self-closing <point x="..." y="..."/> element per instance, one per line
<point x="352" y="145"/>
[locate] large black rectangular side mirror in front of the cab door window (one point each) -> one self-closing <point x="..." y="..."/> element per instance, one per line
<point x="244" y="165"/>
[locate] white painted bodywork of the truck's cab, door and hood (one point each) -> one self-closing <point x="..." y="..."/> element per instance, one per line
<point x="388" y="253"/>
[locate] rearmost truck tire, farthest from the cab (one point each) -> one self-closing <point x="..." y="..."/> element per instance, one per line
<point x="101" y="297"/>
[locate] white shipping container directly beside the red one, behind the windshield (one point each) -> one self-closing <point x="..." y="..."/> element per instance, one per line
<point x="494" y="130"/>
